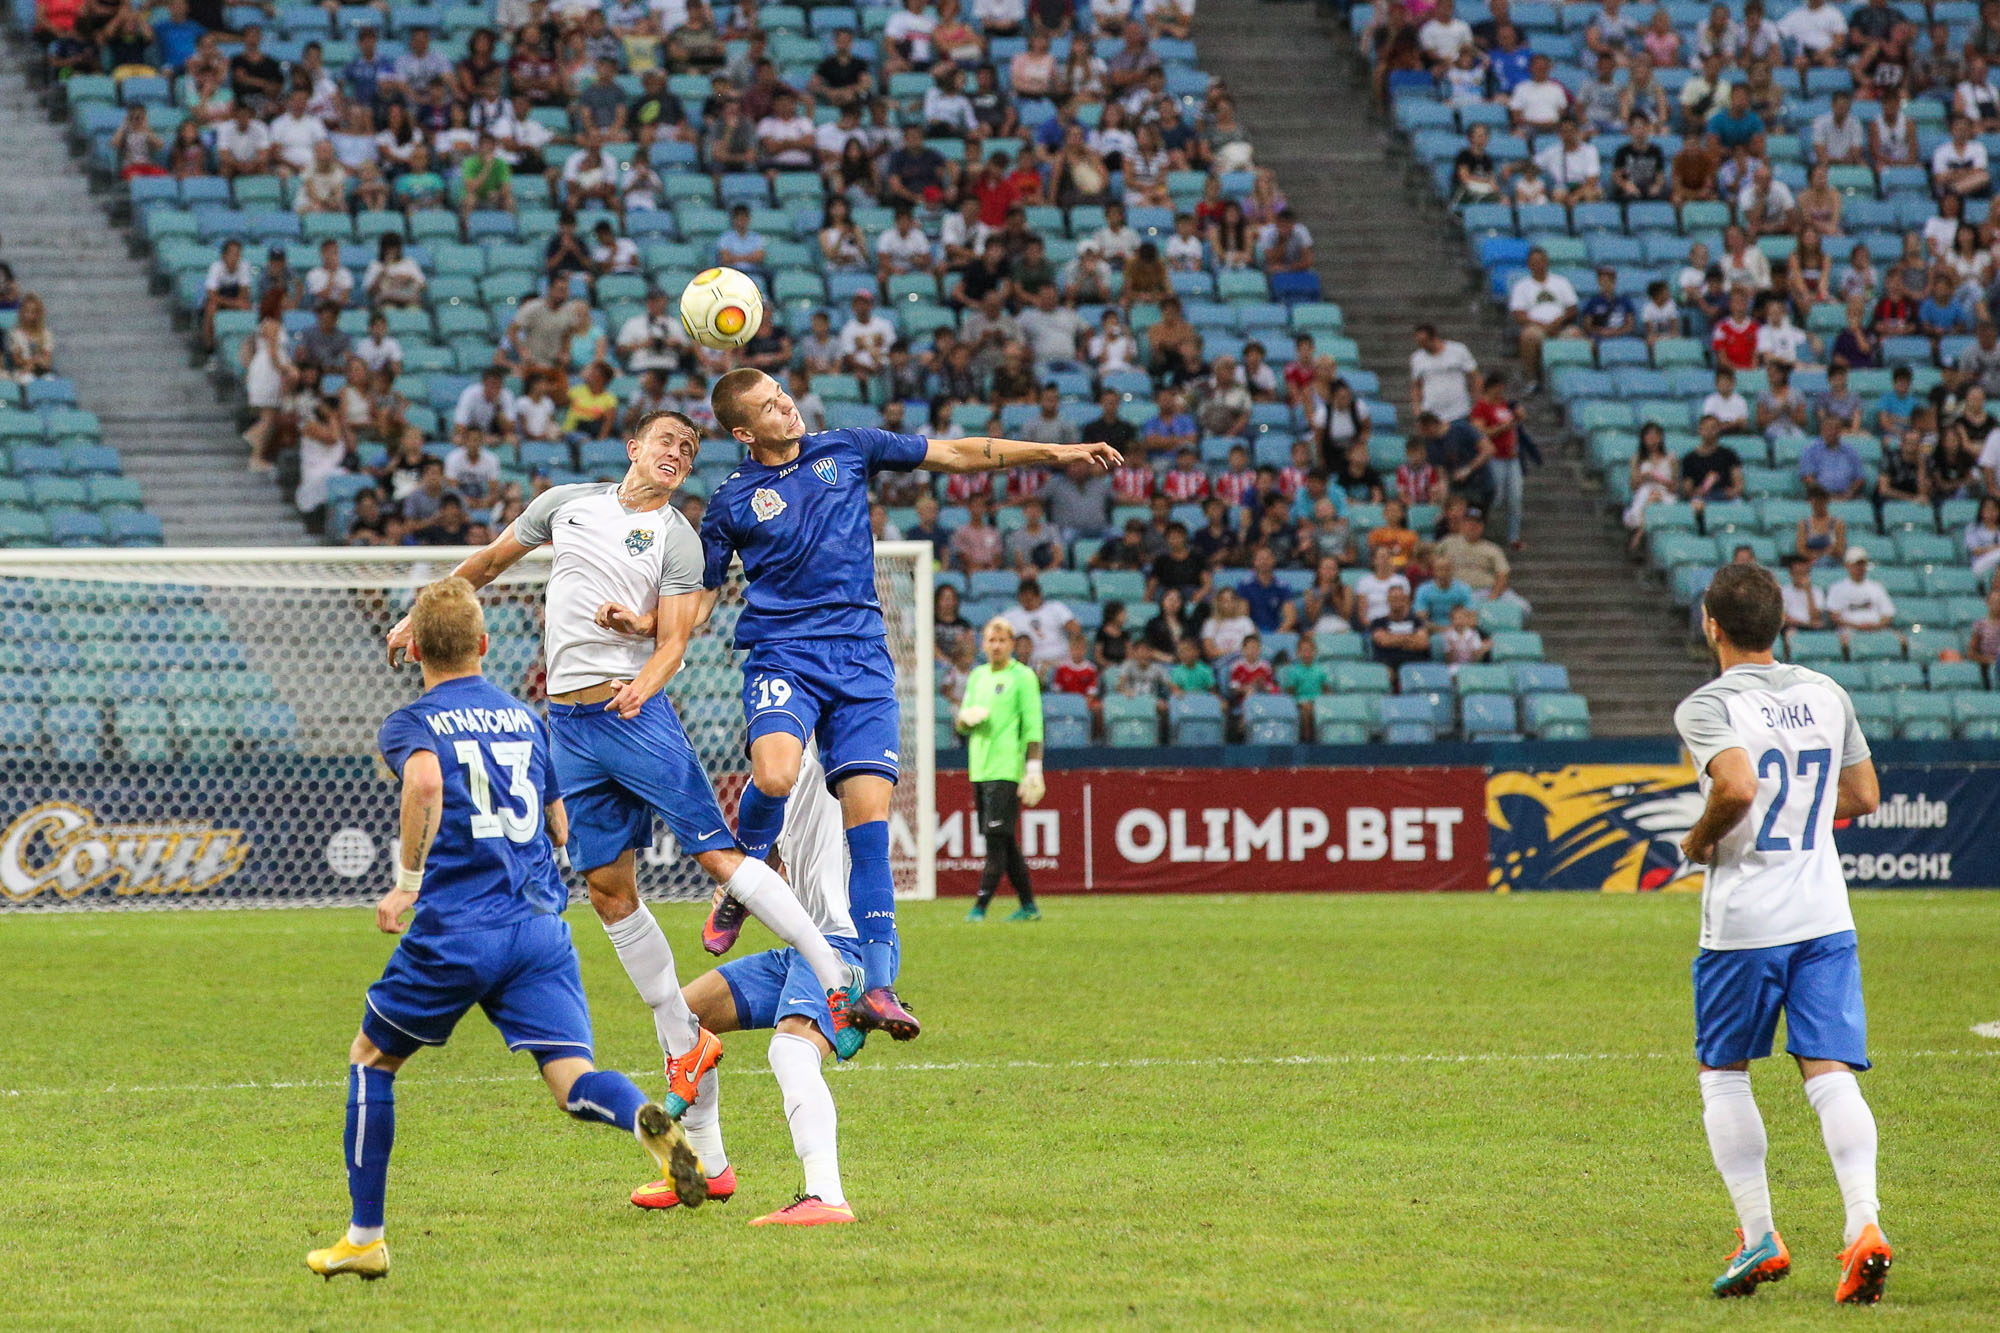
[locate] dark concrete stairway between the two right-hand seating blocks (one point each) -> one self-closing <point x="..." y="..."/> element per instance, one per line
<point x="1393" y="257"/>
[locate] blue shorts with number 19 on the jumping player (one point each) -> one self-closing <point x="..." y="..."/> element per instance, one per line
<point x="841" y="692"/>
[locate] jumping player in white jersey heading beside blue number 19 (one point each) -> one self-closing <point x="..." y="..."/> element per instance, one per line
<point x="623" y="551"/>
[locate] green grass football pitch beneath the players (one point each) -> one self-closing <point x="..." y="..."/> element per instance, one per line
<point x="1209" y="1114"/>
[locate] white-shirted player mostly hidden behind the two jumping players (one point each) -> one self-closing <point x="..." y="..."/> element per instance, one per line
<point x="775" y="990"/>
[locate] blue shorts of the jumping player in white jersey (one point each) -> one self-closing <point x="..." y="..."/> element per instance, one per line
<point x="617" y="776"/>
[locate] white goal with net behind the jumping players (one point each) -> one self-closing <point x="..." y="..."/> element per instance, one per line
<point x="197" y="728"/>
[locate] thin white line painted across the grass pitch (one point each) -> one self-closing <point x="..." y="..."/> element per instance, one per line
<point x="1527" y="1058"/>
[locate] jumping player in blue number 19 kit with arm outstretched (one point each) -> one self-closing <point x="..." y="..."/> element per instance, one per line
<point x="797" y="515"/>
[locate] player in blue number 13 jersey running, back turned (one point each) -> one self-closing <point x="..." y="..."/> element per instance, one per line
<point x="481" y="826"/>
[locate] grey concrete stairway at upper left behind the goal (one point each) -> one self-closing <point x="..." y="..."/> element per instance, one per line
<point x="119" y="341"/>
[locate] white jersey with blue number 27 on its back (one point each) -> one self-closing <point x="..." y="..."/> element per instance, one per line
<point x="1775" y="878"/>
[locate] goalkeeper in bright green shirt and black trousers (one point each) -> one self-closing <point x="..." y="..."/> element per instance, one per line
<point x="1001" y="722"/>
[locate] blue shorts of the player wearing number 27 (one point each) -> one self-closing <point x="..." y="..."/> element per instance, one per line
<point x="1817" y="984"/>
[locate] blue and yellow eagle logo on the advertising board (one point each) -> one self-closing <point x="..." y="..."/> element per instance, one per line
<point x="1611" y="828"/>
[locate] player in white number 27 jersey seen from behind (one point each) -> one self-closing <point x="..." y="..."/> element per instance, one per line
<point x="1781" y="758"/>
